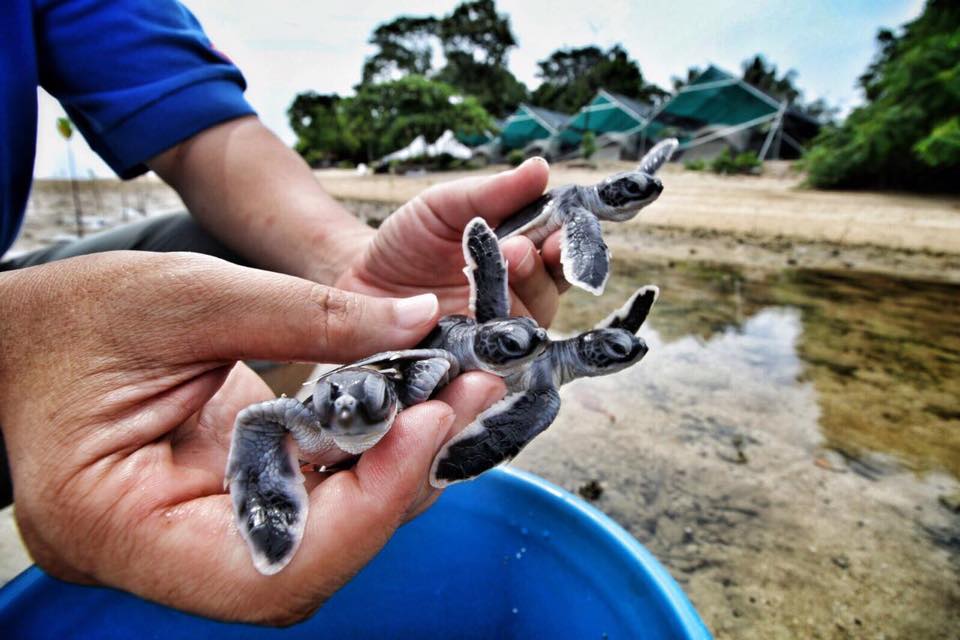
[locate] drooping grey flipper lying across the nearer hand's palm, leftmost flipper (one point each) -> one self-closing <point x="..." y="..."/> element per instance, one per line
<point x="269" y="499"/>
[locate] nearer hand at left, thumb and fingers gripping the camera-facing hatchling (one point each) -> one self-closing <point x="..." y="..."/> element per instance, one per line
<point x="118" y="391"/>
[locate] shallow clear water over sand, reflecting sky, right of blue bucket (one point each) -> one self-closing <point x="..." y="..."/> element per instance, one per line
<point x="790" y="447"/>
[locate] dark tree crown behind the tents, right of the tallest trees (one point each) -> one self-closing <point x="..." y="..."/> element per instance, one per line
<point x="572" y="76"/>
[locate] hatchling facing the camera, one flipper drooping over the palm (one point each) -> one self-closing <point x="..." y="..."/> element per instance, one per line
<point x="351" y="409"/>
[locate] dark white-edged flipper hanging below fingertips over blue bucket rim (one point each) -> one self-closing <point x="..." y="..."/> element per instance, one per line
<point x="496" y="436"/>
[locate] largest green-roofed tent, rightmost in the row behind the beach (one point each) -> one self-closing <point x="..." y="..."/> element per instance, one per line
<point x="718" y="104"/>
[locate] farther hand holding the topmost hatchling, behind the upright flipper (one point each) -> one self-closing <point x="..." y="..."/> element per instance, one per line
<point x="418" y="248"/>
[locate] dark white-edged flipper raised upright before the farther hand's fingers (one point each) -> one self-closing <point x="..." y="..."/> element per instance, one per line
<point x="487" y="272"/>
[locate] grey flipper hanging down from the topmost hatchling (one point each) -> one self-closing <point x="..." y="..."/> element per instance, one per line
<point x="583" y="253"/>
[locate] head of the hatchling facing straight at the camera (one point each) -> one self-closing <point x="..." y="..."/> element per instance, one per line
<point x="356" y="407"/>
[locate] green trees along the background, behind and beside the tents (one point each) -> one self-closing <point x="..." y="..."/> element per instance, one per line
<point x="430" y="74"/>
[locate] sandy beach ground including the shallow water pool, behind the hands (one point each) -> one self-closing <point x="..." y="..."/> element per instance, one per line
<point x="788" y="449"/>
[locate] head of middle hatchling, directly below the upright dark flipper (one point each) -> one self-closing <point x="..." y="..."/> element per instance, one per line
<point x="501" y="346"/>
